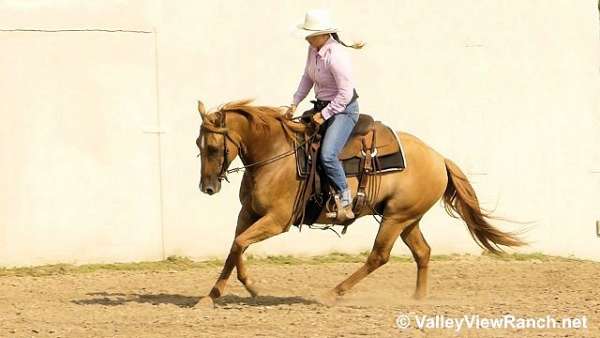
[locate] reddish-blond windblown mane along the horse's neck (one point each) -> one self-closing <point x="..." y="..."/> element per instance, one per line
<point x="263" y="118"/>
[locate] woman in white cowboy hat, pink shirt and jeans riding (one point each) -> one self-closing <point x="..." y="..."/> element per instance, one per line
<point x="328" y="67"/>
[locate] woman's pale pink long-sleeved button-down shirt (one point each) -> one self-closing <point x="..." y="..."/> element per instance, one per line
<point x="329" y="70"/>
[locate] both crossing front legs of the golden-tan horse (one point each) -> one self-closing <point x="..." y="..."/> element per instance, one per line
<point x="262" y="229"/>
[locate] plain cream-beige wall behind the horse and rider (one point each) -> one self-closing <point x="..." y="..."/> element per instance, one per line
<point x="507" y="89"/>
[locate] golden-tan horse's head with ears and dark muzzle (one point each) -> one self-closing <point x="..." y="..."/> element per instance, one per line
<point x="217" y="150"/>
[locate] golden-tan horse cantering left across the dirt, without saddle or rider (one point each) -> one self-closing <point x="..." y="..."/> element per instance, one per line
<point x="262" y="138"/>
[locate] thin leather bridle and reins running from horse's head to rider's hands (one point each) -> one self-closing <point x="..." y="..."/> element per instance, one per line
<point x="225" y="165"/>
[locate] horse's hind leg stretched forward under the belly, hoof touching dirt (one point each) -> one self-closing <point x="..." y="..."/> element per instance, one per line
<point x="388" y="233"/>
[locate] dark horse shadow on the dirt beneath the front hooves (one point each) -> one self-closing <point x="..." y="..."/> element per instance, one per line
<point x="115" y="299"/>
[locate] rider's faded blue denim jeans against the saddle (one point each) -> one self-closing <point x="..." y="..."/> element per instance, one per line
<point x="337" y="131"/>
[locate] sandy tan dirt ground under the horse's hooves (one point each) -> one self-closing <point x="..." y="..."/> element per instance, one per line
<point x="158" y="303"/>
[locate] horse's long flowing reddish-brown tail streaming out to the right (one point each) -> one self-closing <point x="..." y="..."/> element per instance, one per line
<point x="460" y="198"/>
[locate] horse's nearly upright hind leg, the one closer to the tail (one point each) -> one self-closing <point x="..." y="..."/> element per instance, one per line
<point x="414" y="239"/>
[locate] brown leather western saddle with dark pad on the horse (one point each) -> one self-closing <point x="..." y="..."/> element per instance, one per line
<point x="371" y="150"/>
